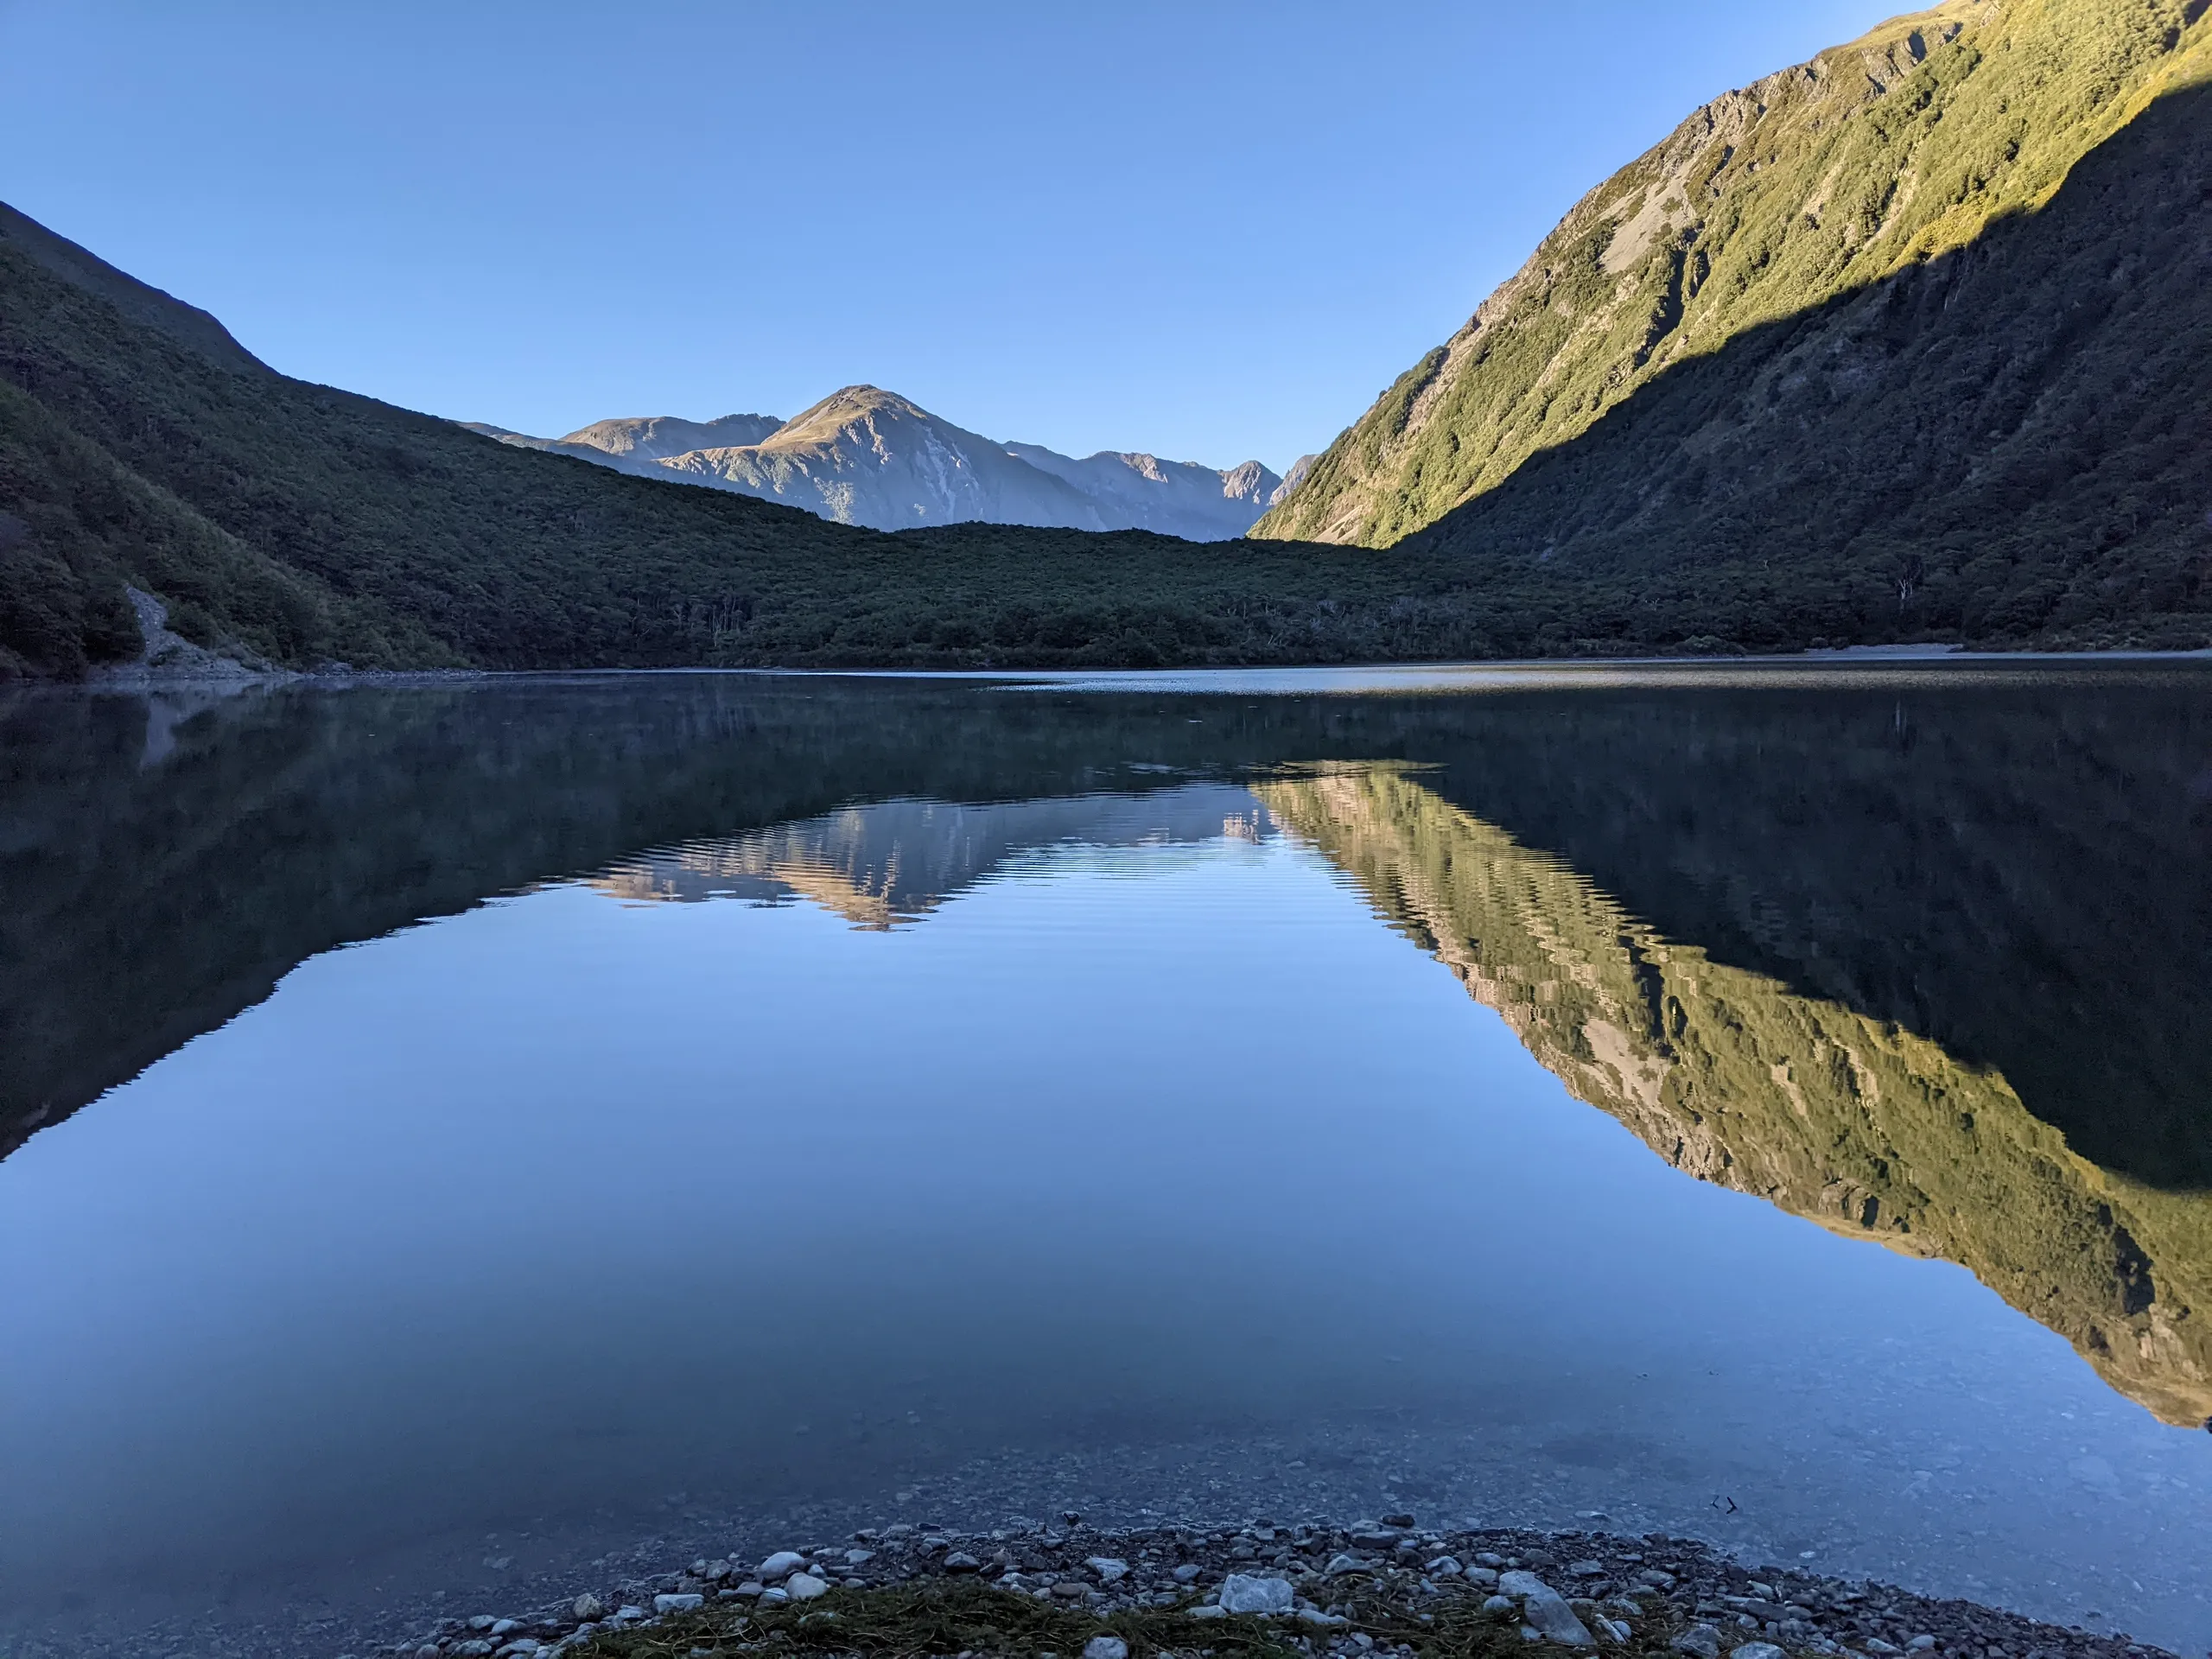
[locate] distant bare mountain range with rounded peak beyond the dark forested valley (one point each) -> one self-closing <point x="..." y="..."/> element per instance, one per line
<point x="868" y="457"/>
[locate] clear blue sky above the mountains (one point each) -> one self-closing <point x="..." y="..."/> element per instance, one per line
<point x="1209" y="231"/>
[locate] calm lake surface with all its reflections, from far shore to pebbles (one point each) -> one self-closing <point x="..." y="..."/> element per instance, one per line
<point x="477" y="1140"/>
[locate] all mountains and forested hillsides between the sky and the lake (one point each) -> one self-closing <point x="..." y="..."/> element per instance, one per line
<point x="1903" y="344"/>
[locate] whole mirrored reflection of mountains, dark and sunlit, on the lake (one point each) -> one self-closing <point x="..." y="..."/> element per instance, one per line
<point x="1919" y="954"/>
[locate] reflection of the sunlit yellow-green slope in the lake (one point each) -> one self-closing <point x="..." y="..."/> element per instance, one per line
<point x="1824" y="1112"/>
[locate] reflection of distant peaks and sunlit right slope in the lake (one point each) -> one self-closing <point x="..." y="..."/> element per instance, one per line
<point x="1833" y="1116"/>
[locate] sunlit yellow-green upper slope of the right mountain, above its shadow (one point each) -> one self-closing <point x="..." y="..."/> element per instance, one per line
<point x="1764" y="205"/>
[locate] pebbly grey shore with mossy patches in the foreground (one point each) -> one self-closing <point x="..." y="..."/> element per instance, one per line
<point x="1386" y="1587"/>
